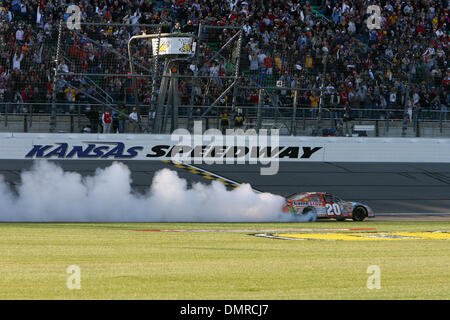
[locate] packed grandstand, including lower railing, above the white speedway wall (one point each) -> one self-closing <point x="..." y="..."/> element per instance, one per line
<point x="294" y="65"/>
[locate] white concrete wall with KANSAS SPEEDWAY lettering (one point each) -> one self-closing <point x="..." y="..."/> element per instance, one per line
<point x="301" y="149"/>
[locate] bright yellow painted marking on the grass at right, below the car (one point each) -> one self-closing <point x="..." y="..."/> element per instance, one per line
<point x="366" y="236"/>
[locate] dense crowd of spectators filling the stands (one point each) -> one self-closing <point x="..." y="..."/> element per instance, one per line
<point x="285" y="43"/>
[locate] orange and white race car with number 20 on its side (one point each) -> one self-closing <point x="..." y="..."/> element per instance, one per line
<point x="326" y="205"/>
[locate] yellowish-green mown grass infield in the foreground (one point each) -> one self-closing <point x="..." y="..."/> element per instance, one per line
<point x="119" y="263"/>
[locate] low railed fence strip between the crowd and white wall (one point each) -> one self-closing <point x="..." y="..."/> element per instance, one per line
<point x="303" y="120"/>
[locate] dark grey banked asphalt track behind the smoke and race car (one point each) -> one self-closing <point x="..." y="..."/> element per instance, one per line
<point x="393" y="190"/>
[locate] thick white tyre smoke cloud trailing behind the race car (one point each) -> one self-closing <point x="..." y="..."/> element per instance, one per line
<point x="49" y="194"/>
